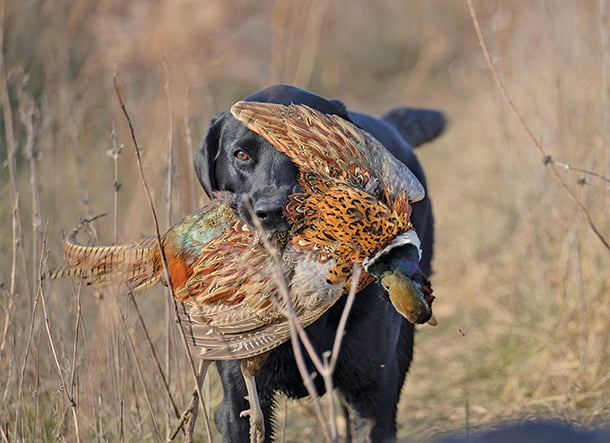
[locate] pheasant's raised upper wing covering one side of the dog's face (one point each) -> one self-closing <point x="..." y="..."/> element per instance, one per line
<point x="328" y="145"/>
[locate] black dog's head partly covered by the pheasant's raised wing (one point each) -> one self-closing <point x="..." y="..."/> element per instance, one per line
<point x="235" y="159"/>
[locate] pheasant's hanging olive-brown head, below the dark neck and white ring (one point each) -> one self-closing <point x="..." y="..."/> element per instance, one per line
<point x="412" y="299"/>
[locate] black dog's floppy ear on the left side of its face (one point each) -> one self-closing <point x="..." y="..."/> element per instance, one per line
<point x="206" y="154"/>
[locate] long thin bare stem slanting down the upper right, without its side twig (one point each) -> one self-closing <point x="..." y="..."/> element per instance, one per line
<point x="527" y="130"/>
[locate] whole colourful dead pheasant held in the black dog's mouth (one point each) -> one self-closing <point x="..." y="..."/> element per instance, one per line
<point x="354" y="208"/>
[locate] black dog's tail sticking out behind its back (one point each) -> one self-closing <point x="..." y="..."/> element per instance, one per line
<point x="417" y="126"/>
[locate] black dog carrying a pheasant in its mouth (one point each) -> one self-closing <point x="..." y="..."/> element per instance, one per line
<point x="378" y="344"/>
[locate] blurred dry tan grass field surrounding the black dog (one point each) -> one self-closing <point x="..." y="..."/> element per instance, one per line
<point x="522" y="281"/>
